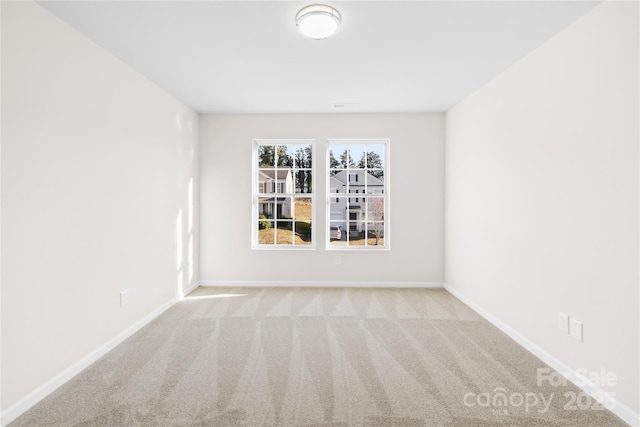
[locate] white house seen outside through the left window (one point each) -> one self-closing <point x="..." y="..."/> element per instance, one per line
<point x="274" y="182"/>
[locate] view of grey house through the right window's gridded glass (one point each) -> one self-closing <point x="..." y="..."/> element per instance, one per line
<point x="358" y="194"/>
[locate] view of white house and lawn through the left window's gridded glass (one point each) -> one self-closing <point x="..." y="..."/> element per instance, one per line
<point x="283" y="193"/>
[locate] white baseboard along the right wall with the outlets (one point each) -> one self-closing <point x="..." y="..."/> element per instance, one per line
<point x="627" y="414"/>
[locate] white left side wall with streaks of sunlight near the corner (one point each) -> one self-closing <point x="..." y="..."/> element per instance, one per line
<point x="96" y="163"/>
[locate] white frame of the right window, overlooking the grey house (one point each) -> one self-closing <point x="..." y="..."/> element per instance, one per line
<point x="386" y="195"/>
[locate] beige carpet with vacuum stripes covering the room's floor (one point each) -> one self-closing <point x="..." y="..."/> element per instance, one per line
<point x="316" y="357"/>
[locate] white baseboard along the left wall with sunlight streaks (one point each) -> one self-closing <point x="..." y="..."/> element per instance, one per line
<point x="24" y="404"/>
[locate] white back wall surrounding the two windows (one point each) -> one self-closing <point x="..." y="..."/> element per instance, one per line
<point x="416" y="154"/>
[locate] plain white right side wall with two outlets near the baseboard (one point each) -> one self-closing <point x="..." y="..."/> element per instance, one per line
<point x="541" y="206"/>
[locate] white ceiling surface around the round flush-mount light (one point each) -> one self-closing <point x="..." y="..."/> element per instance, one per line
<point x="391" y="56"/>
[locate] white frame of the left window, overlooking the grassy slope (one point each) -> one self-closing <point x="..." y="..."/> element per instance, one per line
<point x="255" y="194"/>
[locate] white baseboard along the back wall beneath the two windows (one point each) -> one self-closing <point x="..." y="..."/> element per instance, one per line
<point x="316" y="284"/>
